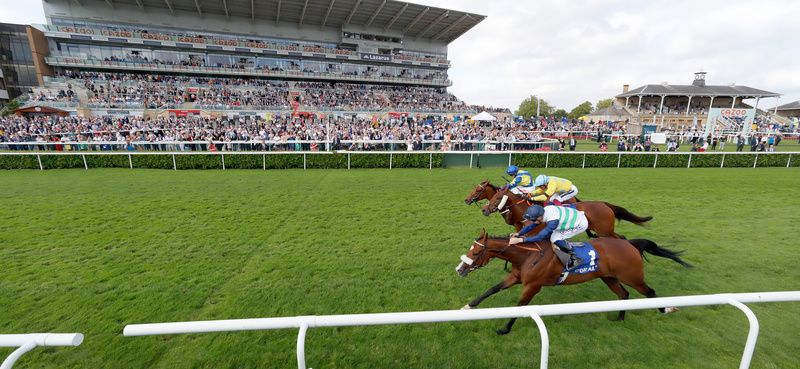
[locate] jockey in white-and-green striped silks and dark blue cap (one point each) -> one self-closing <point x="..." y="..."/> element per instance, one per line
<point x="561" y="224"/>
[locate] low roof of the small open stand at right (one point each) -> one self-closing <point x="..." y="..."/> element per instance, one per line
<point x="693" y="90"/>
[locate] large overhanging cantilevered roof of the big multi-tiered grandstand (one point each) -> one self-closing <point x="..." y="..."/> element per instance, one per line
<point x="412" y="20"/>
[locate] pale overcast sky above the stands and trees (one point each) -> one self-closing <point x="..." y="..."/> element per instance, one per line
<point x="577" y="50"/>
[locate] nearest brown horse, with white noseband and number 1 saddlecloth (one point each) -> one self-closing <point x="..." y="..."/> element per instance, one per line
<point x="536" y="265"/>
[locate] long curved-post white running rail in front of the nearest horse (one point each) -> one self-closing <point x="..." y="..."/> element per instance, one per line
<point x="536" y="312"/>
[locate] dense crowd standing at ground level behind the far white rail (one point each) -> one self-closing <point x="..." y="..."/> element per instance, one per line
<point x="341" y="132"/>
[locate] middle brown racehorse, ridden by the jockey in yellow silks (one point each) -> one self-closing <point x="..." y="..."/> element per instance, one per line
<point x="600" y="214"/>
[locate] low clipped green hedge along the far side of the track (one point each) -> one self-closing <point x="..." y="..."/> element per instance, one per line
<point x="398" y="160"/>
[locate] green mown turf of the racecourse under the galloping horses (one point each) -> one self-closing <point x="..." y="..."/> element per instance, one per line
<point x="92" y="251"/>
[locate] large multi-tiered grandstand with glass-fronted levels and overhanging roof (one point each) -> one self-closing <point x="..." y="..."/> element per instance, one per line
<point x="161" y="58"/>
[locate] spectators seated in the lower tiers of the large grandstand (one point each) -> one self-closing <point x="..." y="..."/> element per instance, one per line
<point x="121" y="90"/>
